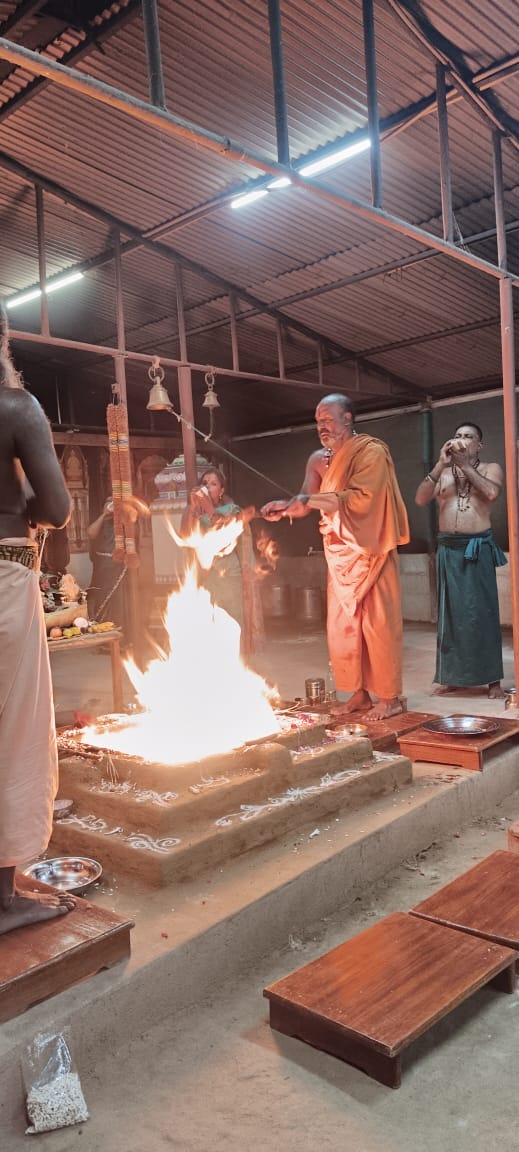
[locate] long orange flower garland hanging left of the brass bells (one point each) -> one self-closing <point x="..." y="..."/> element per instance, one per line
<point x="117" y="420"/>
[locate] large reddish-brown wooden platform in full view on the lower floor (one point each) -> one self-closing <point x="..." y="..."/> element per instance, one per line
<point x="372" y="997"/>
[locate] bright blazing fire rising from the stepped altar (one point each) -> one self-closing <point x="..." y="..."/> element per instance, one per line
<point x="201" y="700"/>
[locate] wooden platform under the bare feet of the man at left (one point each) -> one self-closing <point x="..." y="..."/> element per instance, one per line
<point x="42" y="960"/>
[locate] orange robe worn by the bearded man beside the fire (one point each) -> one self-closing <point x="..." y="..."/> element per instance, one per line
<point x="361" y="543"/>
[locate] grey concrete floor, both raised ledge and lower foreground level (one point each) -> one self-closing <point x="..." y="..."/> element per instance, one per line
<point x="211" y="1077"/>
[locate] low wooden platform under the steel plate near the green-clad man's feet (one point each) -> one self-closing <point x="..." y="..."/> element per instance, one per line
<point x="464" y="752"/>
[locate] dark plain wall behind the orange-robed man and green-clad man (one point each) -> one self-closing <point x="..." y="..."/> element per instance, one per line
<point x="283" y="458"/>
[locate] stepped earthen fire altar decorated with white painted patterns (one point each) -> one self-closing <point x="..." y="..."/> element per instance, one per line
<point x="166" y="823"/>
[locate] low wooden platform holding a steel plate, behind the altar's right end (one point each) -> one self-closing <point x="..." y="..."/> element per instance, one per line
<point x="461" y="749"/>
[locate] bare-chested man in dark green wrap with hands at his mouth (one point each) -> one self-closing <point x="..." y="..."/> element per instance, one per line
<point x="469" y="650"/>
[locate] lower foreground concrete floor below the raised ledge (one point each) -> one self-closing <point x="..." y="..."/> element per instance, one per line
<point x="216" y="1079"/>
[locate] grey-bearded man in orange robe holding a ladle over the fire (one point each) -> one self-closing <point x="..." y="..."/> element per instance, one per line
<point x="353" y="483"/>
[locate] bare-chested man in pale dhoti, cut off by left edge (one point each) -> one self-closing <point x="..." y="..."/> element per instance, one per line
<point x="32" y="492"/>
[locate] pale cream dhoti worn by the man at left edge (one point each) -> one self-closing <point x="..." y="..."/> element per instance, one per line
<point x="28" y="741"/>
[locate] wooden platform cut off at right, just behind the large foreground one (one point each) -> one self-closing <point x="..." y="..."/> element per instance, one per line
<point x="484" y="901"/>
